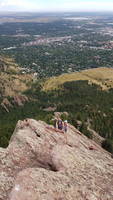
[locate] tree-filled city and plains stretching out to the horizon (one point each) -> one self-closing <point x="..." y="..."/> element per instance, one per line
<point x="51" y="44"/>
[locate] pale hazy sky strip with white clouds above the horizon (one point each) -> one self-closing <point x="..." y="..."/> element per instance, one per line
<point x="56" y="5"/>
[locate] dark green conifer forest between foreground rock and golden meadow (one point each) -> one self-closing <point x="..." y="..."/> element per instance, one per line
<point x="82" y="101"/>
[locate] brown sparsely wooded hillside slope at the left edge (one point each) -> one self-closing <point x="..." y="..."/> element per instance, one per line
<point x="12" y="80"/>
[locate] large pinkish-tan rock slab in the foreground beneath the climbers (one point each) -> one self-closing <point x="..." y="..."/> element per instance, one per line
<point x="43" y="163"/>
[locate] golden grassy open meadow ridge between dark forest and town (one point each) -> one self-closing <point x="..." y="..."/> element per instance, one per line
<point x="100" y="76"/>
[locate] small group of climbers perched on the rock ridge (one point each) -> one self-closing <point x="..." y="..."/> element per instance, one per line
<point x="61" y="125"/>
